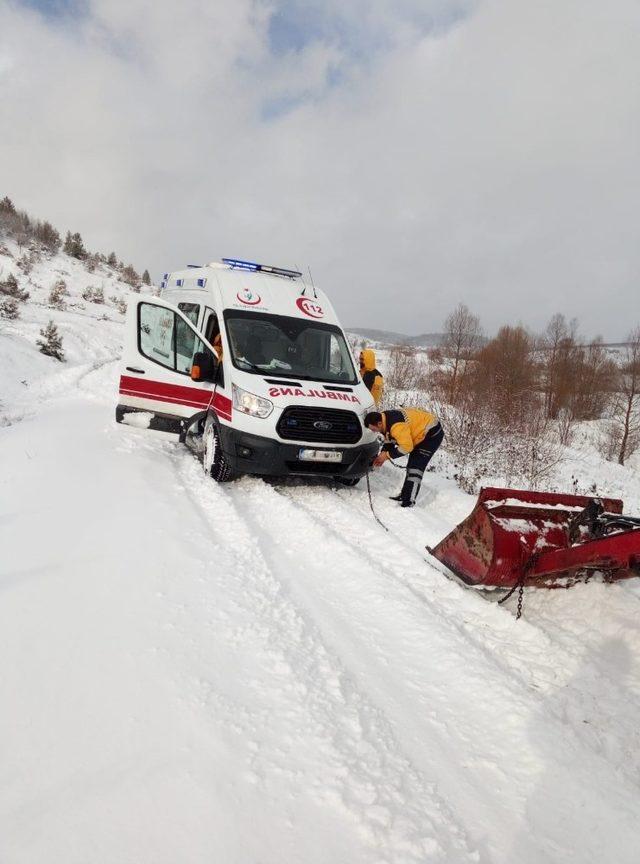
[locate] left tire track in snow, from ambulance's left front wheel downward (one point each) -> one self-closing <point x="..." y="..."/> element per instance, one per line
<point x="365" y="775"/>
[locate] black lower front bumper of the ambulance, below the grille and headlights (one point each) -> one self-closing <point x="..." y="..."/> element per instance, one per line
<point x="253" y="454"/>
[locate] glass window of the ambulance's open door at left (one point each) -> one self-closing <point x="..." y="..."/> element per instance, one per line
<point x="166" y="339"/>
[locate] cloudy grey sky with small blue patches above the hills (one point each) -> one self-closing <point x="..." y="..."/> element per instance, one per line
<point x="414" y="153"/>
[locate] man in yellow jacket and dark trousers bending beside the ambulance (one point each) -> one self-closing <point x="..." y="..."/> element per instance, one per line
<point x="407" y="431"/>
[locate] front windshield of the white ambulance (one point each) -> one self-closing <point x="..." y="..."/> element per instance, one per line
<point x="289" y="347"/>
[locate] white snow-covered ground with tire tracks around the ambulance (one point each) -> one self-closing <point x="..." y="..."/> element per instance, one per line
<point x="257" y="673"/>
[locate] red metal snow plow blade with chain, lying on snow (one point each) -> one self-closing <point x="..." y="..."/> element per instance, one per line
<point x="513" y="537"/>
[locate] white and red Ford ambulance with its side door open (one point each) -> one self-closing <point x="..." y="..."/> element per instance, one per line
<point x="253" y="359"/>
